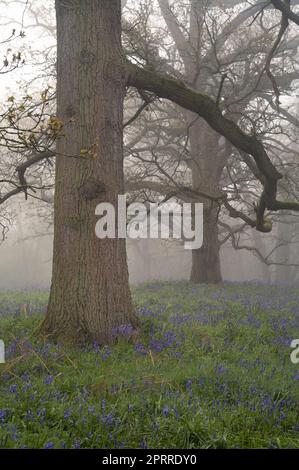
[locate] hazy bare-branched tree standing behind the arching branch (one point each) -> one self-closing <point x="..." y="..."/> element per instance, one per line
<point x="224" y="53"/>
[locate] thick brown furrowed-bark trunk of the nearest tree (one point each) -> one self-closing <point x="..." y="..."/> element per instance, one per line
<point x="90" y="294"/>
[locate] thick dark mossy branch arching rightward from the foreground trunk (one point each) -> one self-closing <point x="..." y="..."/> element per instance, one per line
<point x="201" y="104"/>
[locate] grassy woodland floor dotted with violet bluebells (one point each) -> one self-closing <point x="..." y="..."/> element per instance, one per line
<point x="212" y="370"/>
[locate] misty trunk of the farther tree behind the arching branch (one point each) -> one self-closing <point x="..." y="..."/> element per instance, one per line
<point x="207" y="167"/>
